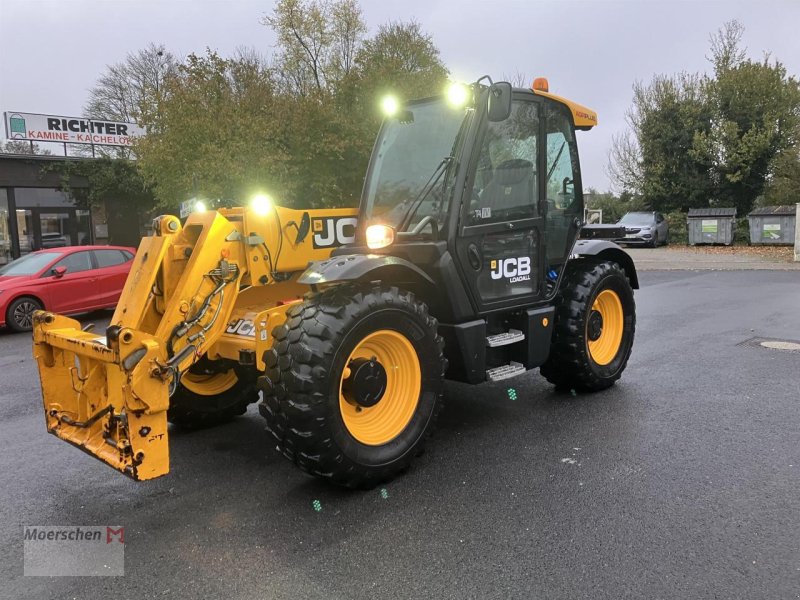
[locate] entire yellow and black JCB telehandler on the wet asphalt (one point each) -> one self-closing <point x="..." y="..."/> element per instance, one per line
<point x="463" y="262"/>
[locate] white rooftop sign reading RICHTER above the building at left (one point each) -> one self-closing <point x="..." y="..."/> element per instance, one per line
<point x="72" y="130"/>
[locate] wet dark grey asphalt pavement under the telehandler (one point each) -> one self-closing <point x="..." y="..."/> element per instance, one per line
<point x="681" y="481"/>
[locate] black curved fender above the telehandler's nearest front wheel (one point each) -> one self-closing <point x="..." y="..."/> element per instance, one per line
<point x="355" y="267"/>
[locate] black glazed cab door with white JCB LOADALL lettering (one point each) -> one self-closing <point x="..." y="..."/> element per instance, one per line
<point x="499" y="243"/>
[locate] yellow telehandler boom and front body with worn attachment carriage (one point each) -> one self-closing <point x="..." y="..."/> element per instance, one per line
<point x="214" y="287"/>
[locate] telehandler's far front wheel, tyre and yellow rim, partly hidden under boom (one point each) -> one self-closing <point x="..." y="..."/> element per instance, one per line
<point x="209" y="395"/>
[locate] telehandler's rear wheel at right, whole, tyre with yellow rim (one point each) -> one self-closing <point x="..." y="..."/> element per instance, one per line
<point x="594" y="327"/>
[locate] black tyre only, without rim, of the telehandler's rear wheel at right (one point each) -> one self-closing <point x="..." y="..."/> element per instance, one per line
<point x="570" y="364"/>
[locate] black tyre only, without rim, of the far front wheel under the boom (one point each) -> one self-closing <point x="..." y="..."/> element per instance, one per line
<point x="190" y="410"/>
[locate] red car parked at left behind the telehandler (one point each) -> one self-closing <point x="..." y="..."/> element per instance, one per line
<point x="63" y="280"/>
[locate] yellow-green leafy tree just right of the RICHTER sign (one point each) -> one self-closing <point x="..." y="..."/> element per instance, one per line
<point x="219" y="132"/>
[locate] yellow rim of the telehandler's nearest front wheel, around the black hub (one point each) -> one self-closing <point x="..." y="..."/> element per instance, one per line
<point x="379" y="424"/>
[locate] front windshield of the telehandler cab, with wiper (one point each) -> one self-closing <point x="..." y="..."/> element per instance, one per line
<point x="409" y="153"/>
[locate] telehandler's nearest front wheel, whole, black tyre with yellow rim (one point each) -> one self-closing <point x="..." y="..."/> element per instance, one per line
<point x="354" y="383"/>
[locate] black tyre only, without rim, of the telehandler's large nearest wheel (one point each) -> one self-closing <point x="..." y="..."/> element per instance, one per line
<point x="305" y="367"/>
